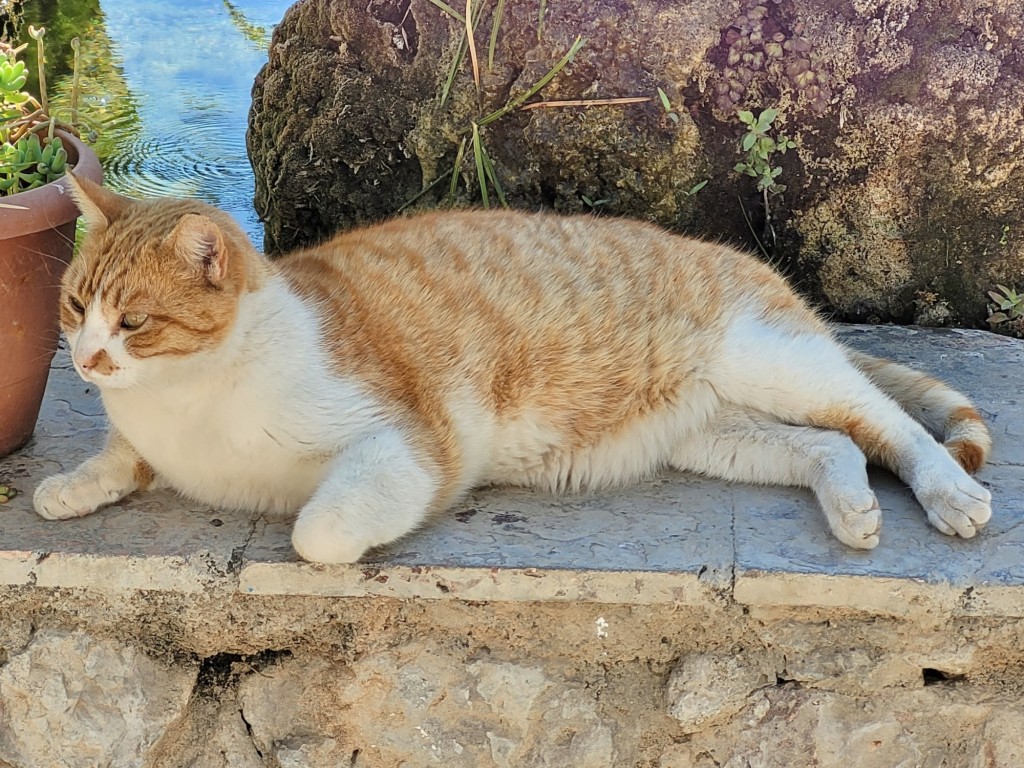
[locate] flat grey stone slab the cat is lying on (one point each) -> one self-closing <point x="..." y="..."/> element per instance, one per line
<point x="676" y="540"/>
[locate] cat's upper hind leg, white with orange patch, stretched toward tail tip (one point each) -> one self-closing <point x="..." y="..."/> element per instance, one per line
<point x="805" y="378"/>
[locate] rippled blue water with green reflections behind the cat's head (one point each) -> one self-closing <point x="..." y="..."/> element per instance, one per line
<point x="167" y="88"/>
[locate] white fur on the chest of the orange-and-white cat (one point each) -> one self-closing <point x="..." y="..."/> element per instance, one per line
<point x="260" y="421"/>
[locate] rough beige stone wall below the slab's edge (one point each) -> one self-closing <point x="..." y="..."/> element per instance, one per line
<point x="249" y="682"/>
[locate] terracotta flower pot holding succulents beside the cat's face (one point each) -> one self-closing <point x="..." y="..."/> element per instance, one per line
<point x="37" y="240"/>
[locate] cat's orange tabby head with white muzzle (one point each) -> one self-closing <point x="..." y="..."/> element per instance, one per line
<point x="157" y="284"/>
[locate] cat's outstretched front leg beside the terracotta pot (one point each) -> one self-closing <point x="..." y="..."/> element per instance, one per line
<point x="111" y="476"/>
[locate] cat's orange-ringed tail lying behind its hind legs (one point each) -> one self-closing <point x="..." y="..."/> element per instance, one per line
<point x="940" y="408"/>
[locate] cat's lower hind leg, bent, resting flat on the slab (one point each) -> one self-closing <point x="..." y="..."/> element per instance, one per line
<point x="750" y="448"/>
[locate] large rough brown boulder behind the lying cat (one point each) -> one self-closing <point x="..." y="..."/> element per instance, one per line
<point x="903" y="196"/>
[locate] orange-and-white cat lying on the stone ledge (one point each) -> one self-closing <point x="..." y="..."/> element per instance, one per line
<point x="370" y="382"/>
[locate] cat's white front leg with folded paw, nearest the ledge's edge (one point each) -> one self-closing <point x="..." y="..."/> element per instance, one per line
<point x="377" y="490"/>
